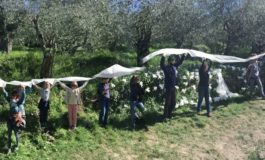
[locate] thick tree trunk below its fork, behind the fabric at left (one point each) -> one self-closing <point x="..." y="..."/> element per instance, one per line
<point x="47" y="65"/>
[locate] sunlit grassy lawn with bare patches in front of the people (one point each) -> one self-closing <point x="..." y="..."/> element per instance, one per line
<point x="236" y="131"/>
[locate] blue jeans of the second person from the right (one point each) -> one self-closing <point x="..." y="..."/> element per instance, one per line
<point x="203" y="93"/>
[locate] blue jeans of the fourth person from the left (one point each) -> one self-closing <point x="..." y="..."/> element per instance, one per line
<point x="104" y="111"/>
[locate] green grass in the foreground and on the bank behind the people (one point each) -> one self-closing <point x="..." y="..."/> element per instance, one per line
<point x="236" y="129"/>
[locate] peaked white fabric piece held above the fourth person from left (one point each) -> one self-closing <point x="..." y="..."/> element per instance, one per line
<point x="117" y="71"/>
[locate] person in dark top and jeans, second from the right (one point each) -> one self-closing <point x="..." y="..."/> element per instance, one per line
<point x="203" y="87"/>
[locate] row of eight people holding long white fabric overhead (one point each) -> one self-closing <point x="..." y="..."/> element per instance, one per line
<point x="17" y="117"/>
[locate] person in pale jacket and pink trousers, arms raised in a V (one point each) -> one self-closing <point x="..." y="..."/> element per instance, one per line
<point x="73" y="100"/>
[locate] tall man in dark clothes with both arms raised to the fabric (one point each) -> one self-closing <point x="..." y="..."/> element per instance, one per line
<point x="170" y="73"/>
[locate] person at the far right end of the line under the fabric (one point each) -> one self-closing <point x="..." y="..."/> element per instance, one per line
<point x="252" y="75"/>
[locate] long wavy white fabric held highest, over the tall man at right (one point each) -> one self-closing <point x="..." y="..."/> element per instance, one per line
<point x="199" y="54"/>
